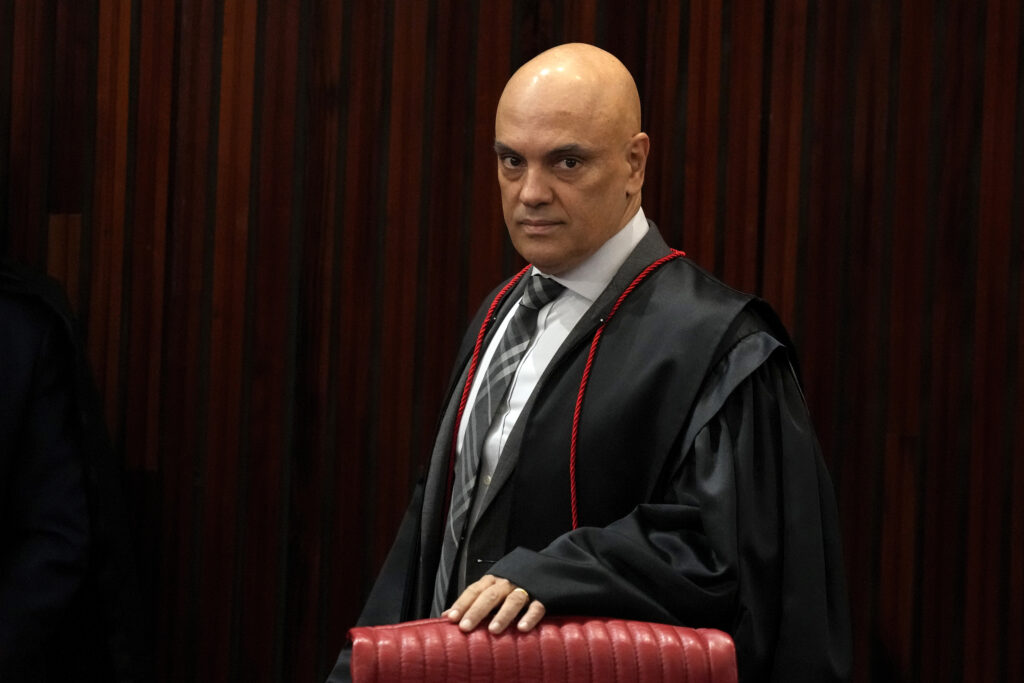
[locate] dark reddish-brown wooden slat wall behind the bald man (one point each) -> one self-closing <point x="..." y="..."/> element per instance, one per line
<point x="275" y="220"/>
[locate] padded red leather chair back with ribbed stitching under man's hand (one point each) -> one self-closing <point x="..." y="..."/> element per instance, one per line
<point x="560" y="650"/>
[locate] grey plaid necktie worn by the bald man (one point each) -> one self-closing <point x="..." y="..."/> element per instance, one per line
<point x="513" y="348"/>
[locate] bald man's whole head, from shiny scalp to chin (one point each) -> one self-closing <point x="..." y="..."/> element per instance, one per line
<point x="571" y="155"/>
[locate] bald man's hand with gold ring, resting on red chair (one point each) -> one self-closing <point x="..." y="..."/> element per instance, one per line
<point x="481" y="599"/>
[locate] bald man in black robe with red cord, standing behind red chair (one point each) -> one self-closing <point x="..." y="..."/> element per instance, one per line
<point x="652" y="457"/>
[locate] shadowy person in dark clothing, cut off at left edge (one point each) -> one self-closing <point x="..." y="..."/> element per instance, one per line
<point x="69" y="597"/>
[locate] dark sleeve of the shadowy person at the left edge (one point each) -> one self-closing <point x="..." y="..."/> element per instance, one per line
<point x="46" y="526"/>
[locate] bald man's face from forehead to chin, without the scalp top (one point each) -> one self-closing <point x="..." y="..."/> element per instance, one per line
<point x="569" y="182"/>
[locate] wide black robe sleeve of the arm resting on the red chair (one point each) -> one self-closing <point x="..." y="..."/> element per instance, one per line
<point x="744" y="536"/>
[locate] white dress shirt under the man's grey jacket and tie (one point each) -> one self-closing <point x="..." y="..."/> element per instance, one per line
<point x="554" y="322"/>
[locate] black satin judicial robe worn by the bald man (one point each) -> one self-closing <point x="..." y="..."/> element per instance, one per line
<point x="703" y="497"/>
